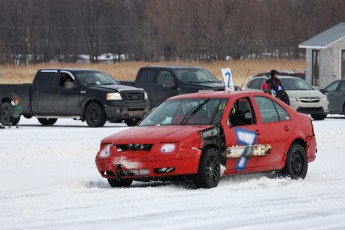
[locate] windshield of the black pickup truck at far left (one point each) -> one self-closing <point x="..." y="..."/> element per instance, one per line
<point x="94" y="78"/>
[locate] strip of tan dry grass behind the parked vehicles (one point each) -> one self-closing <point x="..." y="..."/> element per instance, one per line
<point x="127" y="71"/>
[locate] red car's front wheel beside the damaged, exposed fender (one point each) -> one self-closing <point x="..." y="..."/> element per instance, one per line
<point x="209" y="170"/>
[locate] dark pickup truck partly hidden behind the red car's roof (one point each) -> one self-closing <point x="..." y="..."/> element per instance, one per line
<point x="162" y="82"/>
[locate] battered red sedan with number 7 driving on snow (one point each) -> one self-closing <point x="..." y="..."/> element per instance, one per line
<point x="203" y="136"/>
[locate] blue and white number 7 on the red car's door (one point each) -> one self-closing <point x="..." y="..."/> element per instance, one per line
<point x="246" y="138"/>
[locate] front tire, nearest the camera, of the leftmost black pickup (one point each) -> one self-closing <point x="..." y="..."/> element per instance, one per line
<point x="95" y="115"/>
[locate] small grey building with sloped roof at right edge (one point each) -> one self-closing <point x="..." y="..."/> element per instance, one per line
<point x="325" y="56"/>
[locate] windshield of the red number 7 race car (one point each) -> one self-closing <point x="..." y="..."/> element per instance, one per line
<point x="196" y="111"/>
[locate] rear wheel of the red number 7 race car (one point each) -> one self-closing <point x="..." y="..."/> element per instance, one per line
<point x="296" y="164"/>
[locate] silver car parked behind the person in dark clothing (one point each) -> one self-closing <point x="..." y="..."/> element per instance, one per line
<point x="303" y="97"/>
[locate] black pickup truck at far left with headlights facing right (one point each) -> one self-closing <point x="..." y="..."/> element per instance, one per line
<point x="85" y="94"/>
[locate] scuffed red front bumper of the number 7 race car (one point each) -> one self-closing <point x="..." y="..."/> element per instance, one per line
<point x="140" y="164"/>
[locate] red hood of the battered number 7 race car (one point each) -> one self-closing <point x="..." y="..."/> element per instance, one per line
<point x="154" y="134"/>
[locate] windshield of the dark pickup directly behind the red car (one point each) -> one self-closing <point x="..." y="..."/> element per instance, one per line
<point x="194" y="75"/>
